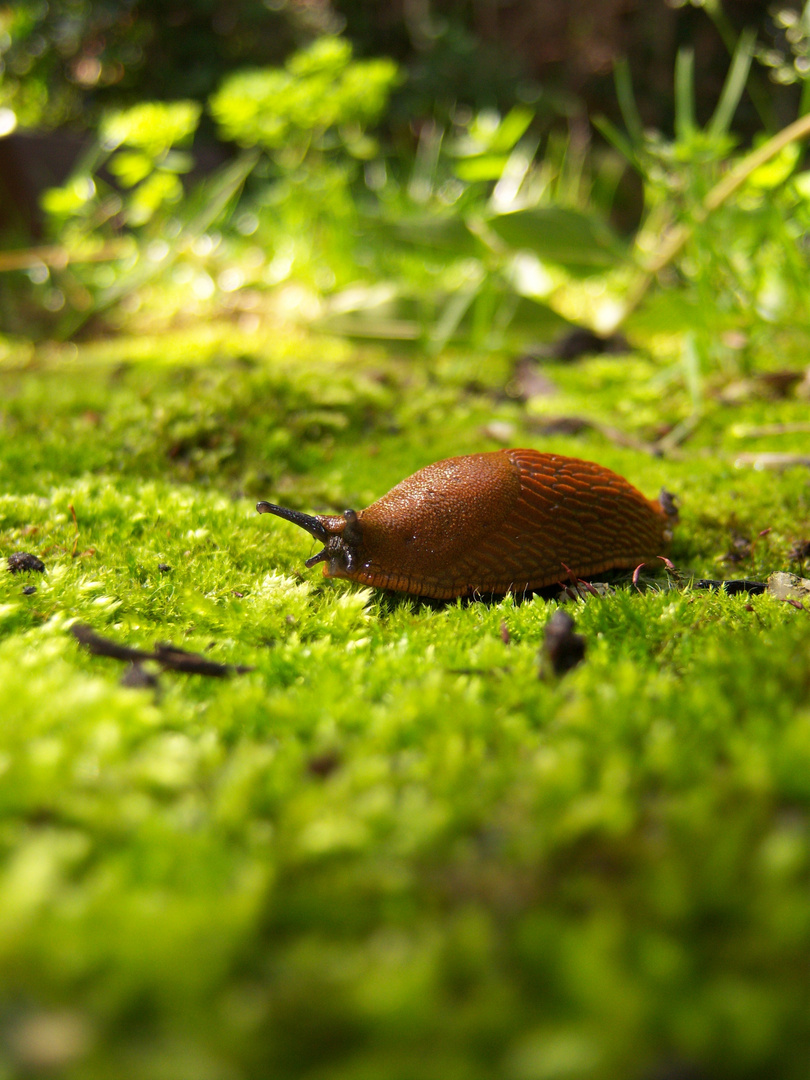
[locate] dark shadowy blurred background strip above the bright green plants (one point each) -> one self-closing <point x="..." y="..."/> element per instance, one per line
<point x="67" y="62"/>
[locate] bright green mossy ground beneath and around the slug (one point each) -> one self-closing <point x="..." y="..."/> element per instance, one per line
<point x="390" y="850"/>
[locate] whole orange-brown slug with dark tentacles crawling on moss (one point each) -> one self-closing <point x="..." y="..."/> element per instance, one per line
<point x="508" y="521"/>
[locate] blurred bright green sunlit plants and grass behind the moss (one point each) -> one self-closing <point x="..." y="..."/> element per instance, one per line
<point x="485" y="231"/>
